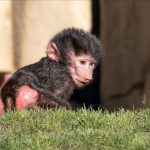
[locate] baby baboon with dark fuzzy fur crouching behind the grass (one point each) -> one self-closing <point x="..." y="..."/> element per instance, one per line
<point x="71" y="58"/>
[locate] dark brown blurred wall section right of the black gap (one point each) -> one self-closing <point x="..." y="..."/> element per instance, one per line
<point x="125" y="33"/>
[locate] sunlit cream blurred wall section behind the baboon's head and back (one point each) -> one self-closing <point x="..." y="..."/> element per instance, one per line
<point x="33" y="23"/>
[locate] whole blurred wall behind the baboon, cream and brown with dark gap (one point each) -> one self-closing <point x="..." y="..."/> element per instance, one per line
<point x="123" y="26"/>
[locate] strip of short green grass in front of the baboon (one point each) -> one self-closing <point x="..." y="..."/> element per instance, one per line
<point x="69" y="130"/>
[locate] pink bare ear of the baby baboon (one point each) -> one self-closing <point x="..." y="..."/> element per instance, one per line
<point x="53" y="52"/>
